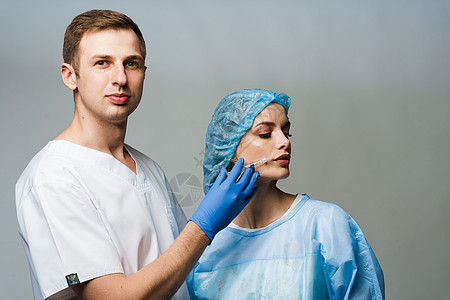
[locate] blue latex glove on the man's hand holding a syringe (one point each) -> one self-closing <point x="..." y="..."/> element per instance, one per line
<point x="226" y="199"/>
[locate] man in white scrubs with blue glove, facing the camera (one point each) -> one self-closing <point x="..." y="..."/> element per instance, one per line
<point x="97" y="217"/>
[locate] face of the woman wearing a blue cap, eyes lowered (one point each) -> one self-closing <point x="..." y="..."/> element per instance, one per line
<point x="268" y="138"/>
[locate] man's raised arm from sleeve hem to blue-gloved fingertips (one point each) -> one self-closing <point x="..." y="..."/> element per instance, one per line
<point x="163" y="277"/>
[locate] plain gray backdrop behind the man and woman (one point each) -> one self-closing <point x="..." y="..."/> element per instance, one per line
<point x="369" y="82"/>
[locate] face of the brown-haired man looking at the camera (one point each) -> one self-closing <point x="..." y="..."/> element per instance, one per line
<point x="111" y="75"/>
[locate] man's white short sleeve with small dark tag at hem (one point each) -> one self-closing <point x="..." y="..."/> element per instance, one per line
<point x="67" y="240"/>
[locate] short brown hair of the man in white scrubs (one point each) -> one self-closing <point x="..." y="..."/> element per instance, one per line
<point x="95" y="20"/>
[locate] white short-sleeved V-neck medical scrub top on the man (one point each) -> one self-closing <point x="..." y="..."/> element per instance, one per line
<point x="83" y="214"/>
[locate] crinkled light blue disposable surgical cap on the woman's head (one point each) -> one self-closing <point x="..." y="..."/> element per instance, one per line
<point x="232" y="118"/>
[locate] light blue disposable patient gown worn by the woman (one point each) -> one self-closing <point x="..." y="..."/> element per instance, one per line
<point x="315" y="251"/>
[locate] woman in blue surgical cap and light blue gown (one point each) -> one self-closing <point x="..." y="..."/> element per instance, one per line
<point x="281" y="246"/>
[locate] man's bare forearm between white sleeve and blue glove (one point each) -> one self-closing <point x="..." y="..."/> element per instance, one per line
<point x="158" y="280"/>
